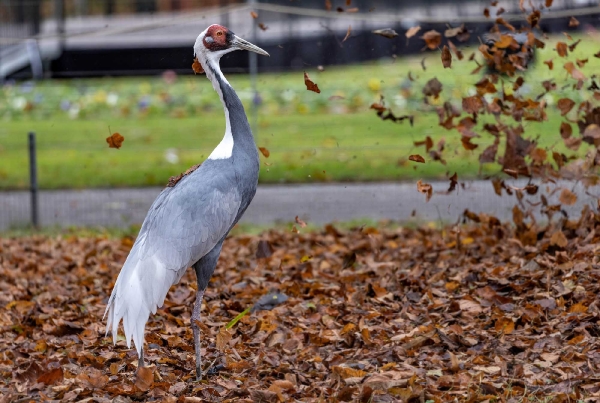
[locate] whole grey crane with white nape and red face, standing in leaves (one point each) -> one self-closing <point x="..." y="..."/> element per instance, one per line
<point x="188" y="222"/>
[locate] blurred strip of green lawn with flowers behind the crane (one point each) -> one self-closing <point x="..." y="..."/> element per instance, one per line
<point x="310" y="137"/>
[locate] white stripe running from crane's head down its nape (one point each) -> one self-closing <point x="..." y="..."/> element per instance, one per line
<point x="210" y="64"/>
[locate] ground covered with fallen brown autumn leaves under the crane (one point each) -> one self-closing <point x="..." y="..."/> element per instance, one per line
<point x="481" y="311"/>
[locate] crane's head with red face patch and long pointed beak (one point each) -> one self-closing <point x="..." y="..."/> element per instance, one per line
<point x="218" y="40"/>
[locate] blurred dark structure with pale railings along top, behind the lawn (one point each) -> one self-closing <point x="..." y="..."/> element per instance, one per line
<point x="290" y="46"/>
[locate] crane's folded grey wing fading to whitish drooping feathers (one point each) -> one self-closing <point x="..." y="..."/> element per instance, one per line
<point x="184" y="223"/>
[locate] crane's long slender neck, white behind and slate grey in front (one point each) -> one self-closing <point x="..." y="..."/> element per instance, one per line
<point x="237" y="129"/>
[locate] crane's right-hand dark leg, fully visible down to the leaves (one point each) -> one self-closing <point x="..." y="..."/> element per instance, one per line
<point x="204" y="269"/>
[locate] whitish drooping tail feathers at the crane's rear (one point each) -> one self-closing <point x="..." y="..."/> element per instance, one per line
<point x="141" y="288"/>
